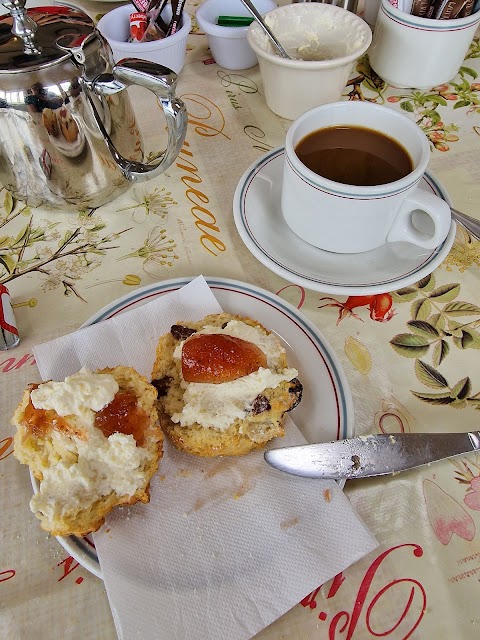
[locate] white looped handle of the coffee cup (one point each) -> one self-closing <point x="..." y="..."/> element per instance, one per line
<point x="407" y="225"/>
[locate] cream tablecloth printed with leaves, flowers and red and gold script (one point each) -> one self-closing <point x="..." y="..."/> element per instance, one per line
<point x="411" y="358"/>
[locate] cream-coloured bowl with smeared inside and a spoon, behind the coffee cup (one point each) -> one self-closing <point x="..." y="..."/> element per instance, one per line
<point x="330" y="36"/>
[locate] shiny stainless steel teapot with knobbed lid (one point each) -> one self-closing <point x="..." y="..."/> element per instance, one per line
<point x="68" y="134"/>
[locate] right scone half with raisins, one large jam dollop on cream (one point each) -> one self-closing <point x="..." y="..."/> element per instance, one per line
<point x="223" y="385"/>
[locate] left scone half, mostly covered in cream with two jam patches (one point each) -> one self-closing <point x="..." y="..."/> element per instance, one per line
<point x="93" y="441"/>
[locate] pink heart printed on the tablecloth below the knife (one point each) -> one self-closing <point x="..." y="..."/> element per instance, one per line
<point x="446" y="515"/>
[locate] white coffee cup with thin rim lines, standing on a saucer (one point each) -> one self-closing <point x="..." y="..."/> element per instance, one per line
<point x="345" y="218"/>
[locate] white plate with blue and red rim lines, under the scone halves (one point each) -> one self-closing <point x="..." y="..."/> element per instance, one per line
<point x="326" y="410"/>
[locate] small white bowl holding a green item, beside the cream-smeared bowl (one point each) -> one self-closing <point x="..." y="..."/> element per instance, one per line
<point x="229" y="45"/>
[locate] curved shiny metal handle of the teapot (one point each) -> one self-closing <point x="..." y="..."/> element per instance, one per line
<point x="162" y="82"/>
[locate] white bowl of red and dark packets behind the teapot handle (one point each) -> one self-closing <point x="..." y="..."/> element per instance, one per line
<point x="169" y="52"/>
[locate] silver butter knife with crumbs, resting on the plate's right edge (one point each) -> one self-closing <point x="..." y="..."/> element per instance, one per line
<point x="372" y="455"/>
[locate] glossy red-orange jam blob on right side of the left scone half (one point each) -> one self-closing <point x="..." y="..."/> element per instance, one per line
<point x="122" y="415"/>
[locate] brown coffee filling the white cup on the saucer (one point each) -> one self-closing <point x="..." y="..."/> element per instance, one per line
<point x="354" y="155"/>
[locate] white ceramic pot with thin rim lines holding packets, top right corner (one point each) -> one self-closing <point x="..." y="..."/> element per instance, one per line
<point x="408" y="51"/>
